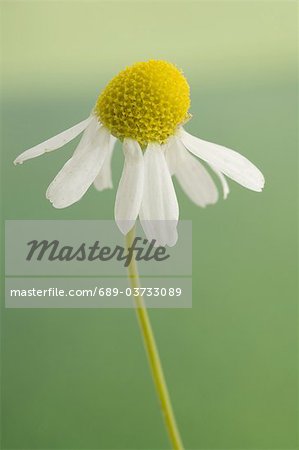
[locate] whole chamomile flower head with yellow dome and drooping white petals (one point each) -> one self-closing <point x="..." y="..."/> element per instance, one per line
<point x="145" y="106"/>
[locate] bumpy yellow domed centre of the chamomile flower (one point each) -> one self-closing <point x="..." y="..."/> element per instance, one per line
<point x="145" y="102"/>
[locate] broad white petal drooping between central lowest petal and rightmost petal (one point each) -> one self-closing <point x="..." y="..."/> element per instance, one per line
<point x="193" y="177"/>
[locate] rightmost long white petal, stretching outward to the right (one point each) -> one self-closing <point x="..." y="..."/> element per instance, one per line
<point x="227" y="161"/>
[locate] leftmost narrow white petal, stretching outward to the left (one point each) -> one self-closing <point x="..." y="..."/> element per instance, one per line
<point x="55" y="142"/>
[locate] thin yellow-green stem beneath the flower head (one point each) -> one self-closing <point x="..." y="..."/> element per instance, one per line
<point x="152" y="352"/>
